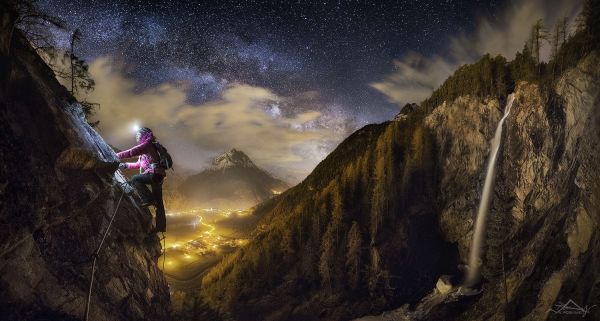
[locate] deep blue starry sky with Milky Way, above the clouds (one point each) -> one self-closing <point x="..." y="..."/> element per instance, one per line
<point x="335" y="47"/>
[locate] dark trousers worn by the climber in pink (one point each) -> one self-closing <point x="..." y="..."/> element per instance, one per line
<point x="140" y="183"/>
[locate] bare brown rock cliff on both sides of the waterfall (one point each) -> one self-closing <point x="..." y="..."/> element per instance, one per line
<point x="545" y="208"/>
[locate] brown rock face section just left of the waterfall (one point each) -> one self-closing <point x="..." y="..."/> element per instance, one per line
<point x="463" y="130"/>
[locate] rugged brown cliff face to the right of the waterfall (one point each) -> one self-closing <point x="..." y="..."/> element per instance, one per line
<point x="546" y="202"/>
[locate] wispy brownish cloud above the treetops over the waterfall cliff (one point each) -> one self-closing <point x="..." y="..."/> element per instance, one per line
<point x="416" y="76"/>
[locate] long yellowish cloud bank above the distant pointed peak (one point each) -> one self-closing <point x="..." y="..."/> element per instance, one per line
<point x="289" y="144"/>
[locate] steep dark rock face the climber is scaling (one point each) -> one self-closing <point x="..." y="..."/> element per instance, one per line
<point x="58" y="191"/>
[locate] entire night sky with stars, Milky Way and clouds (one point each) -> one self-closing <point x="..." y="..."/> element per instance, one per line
<point x="285" y="81"/>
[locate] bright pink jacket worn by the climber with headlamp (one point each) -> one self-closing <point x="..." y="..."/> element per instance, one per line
<point x="147" y="153"/>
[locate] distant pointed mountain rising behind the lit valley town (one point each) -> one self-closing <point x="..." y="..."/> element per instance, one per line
<point x="232" y="180"/>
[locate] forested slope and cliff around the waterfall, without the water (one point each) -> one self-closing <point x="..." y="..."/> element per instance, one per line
<point x="392" y="209"/>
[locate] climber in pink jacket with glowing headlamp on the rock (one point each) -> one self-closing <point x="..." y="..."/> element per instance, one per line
<point x="152" y="172"/>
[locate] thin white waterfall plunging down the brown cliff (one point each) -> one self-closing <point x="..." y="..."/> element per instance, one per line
<point x="476" y="246"/>
